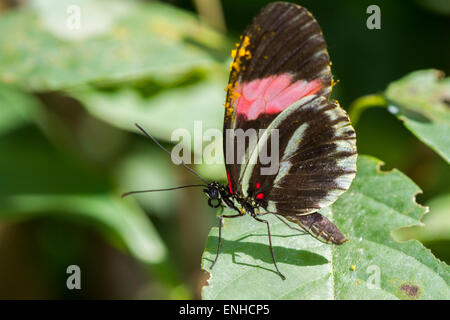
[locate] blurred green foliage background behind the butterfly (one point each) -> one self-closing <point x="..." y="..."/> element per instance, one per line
<point x="68" y="102"/>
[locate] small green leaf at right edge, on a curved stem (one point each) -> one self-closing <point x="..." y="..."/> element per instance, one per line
<point x="422" y="101"/>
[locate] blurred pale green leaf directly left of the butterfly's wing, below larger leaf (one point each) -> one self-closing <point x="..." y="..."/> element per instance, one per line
<point x="163" y="113"/>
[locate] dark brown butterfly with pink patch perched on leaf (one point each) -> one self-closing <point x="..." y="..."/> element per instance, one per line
<point x="280" y="82"/>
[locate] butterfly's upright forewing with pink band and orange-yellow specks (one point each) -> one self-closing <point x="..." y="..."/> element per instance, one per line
<point x="283" y="48"/>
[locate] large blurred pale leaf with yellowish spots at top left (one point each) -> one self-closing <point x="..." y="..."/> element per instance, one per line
<point x="116" y="41"/>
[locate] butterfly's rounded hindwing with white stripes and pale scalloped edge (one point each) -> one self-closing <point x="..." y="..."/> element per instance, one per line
<point x="317" y="159"/>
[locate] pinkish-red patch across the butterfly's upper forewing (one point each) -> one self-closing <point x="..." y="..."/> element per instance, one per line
<point x="272" y="95"/>
